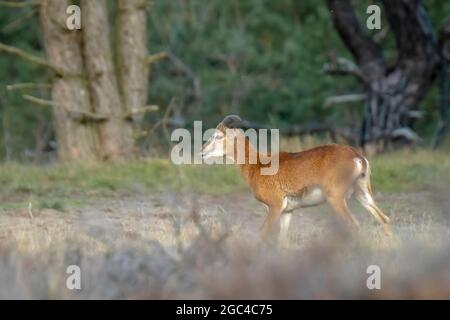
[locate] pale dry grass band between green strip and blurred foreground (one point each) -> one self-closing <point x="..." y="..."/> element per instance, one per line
<point x="416" y="216"/>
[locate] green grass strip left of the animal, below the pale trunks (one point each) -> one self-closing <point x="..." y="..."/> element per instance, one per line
<point x="63" y="180"/>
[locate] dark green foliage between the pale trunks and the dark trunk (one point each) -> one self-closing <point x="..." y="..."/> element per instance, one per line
<point x="260" y="59"/>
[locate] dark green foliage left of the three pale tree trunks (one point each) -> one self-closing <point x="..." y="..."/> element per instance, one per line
<point x="20" y="120"/>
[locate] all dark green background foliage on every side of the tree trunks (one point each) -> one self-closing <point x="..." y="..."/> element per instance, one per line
<point x="258" y="58"/>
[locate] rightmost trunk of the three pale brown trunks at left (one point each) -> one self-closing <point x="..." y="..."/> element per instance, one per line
<point x="131" y="41"/>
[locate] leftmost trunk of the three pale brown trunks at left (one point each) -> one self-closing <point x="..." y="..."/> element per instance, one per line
<point x="76" y="140"/>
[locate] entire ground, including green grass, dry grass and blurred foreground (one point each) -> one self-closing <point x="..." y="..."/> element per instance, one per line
<point x="150" y="230"/>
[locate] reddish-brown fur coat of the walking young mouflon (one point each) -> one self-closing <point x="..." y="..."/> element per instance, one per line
<point x="329" y="167"/>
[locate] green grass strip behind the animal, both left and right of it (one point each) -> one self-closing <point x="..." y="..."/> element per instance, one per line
<point x="52" y="184"/>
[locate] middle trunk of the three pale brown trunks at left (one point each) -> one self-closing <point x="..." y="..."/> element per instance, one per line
<point x="116" y="136"/>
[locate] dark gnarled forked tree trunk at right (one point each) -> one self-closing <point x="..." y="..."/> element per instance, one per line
<point x="393" y="93"/>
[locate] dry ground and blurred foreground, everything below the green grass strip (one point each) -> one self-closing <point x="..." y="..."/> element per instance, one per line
<point x="141" y="246"/>
